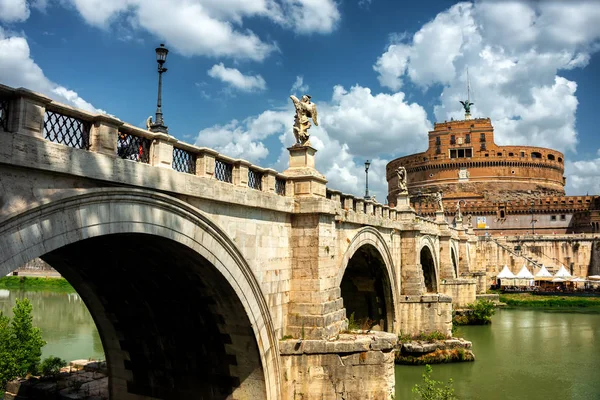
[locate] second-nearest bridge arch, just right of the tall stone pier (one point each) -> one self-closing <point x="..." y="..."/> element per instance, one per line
<point x="369" y="244"/>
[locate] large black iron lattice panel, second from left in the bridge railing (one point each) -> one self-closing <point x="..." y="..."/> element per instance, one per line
<point x="70" y="131"/>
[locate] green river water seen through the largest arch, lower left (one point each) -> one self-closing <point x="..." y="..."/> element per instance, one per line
<point x="66" y="324"/>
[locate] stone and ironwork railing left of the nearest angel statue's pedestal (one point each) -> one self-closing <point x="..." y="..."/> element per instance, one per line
<point x="33" y="114"/>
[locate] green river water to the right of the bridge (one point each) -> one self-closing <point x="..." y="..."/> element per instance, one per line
<point x="524" y="354"/>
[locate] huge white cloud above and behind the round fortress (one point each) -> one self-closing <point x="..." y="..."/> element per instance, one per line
<point x="513" y="67"/>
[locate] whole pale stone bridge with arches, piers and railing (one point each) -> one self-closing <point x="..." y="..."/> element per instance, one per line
<point x="212" y="278"/>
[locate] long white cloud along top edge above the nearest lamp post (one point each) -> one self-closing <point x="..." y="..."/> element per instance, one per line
<point x="212" y="27"/>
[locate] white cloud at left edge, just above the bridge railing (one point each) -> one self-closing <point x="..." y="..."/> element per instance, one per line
<point x="17" y="69"/>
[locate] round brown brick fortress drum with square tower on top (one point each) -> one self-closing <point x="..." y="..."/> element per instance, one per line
<point x="463" y="162"/>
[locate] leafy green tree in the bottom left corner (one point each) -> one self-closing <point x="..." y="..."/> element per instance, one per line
<point x="20" y="343"/>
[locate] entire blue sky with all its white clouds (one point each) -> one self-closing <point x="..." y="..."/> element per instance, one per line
<point x="381" y="72"/>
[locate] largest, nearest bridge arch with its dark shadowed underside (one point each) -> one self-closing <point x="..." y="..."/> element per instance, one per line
<point x="226" y="317"/>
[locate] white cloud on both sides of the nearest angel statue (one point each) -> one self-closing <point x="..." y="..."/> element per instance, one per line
<point x="354" y="125"/>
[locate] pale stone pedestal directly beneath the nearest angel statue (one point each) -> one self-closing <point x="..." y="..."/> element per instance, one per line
<point x="307" y="181"/>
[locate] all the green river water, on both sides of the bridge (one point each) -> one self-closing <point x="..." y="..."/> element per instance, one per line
<point x="524" y="354"/>
